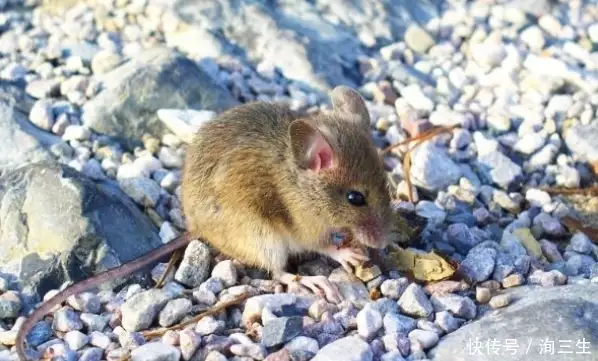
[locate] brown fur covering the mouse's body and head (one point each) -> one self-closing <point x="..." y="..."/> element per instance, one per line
<point x="245" y="192"/>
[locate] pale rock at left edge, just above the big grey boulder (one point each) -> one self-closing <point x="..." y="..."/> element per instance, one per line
<point x="22" y="142"/>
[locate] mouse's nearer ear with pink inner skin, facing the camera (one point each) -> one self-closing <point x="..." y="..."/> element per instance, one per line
<point x="310" y="148"/>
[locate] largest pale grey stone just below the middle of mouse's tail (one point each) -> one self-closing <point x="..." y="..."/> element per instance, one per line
<point x="139" y="311"/>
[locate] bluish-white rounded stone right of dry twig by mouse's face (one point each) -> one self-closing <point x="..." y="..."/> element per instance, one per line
<point x="432" y="168"/>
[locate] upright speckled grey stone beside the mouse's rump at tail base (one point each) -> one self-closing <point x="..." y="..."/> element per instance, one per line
<point x="195" y="266"/>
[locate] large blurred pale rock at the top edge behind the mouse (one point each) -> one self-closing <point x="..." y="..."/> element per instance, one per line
<point x="316" y="42"/>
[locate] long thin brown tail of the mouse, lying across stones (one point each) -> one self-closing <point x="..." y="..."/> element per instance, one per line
<point x="82" y="286"/>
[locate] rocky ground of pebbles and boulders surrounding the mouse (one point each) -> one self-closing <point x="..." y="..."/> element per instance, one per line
<point x="99" y="100"/>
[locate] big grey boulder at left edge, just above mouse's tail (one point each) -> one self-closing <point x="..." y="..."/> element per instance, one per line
<point x="57" y="225"/>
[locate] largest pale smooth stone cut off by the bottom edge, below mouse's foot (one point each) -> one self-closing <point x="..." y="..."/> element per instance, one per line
<point x="349" y="348"/>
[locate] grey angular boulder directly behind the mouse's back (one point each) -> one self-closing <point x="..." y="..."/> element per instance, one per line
<point x="133" y="93"/>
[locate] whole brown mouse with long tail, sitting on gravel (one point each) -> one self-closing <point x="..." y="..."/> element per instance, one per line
<point x="262" y="182"/>
